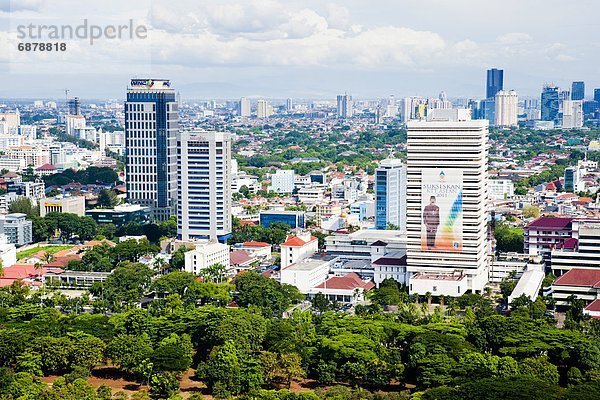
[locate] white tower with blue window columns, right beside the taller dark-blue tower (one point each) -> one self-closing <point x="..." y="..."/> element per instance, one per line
<point x="204" y="185"/>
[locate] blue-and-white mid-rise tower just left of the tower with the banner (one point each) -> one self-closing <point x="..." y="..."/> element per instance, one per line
<point x="390" y="194"/>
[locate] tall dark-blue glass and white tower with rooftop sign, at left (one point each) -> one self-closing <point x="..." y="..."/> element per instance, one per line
<point x="151" y="127"/>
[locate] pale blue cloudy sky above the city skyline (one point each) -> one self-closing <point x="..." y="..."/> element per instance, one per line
<point x="305" y="48"/>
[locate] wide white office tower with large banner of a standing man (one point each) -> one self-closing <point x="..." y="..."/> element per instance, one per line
<point x="447" y="204"/>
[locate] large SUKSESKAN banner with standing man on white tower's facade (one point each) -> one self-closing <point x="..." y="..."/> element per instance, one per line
<point x="441" y="209"/>
